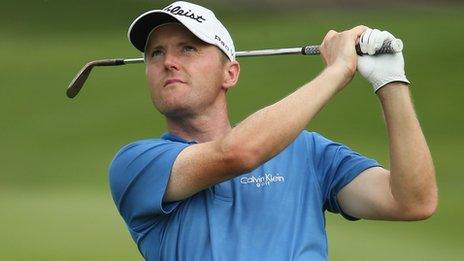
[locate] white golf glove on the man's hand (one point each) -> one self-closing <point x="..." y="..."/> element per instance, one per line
<point x="381" y="69"/>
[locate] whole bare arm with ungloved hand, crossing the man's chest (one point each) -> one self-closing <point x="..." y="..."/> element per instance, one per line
<point x="261" y="136"/>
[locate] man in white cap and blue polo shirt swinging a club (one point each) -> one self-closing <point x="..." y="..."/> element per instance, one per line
<point x="258" y="191"/>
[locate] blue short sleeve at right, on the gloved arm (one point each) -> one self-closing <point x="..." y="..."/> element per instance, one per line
<point x="335" y="165"/>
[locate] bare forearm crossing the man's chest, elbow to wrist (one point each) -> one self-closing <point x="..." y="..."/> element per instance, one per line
<point x="266" y="132"/>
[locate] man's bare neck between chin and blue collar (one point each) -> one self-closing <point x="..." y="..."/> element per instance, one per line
<point x="203" y="127"/>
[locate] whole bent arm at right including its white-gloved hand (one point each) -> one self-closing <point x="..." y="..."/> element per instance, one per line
<point x="407" y="191"/>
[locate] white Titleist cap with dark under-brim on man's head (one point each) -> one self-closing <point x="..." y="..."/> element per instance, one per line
<point x="200" y="21"/>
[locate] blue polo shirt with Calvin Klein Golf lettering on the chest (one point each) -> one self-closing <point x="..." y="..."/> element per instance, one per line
<point x="275" y="212"/>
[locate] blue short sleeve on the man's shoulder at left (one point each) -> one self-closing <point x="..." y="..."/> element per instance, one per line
<point x="138" y="176"/>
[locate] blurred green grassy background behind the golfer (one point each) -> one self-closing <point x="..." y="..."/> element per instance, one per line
<point x="54" y="151"/>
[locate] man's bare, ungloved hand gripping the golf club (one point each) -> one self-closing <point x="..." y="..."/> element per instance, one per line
<point x="338" y="51"/>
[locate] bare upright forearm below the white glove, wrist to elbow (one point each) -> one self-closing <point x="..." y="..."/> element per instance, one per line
<point x="412" y="179"/>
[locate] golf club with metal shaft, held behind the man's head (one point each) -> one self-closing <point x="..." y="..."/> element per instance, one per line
<point x="76" y="84"/>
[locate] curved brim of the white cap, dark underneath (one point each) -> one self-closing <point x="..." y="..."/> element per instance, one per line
<point x="142" y="26"/>
